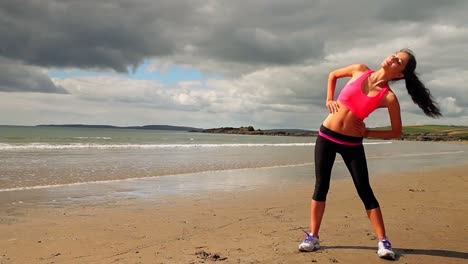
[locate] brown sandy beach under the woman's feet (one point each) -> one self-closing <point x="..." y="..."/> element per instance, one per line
<point x="425" y="213"/>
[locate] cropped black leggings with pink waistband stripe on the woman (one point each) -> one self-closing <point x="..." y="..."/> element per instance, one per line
<point x="354" y="157"/>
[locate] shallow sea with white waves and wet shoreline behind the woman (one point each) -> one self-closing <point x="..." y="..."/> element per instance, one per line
<point x="167" y="162"/>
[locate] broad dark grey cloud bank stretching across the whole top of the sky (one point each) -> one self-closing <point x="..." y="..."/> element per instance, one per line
<point x="121" y="33"/>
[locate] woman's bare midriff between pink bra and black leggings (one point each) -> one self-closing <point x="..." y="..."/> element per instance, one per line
<point x="343" y="122"/>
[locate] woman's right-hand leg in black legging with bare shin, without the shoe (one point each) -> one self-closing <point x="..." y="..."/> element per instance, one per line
<point x="355" y="160"/>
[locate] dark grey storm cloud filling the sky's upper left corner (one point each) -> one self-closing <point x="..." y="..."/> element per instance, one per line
<point x="85" y="34"/>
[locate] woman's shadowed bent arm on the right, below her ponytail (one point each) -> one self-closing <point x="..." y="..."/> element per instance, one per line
<point x="391" y="102"/>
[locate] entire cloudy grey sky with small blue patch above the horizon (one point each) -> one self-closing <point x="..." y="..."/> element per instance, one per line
<point x="209" y="63"/>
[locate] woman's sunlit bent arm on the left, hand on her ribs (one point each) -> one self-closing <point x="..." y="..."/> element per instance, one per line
<point x="348" y="71"/>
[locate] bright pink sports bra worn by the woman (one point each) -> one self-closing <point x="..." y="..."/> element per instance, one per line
<point x="360" y="104"/>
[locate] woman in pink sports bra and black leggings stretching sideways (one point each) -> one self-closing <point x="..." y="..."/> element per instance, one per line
<point x="343" y="132"/>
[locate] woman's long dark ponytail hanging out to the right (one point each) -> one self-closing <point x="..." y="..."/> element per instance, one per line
<point x="417" y="90"/>
